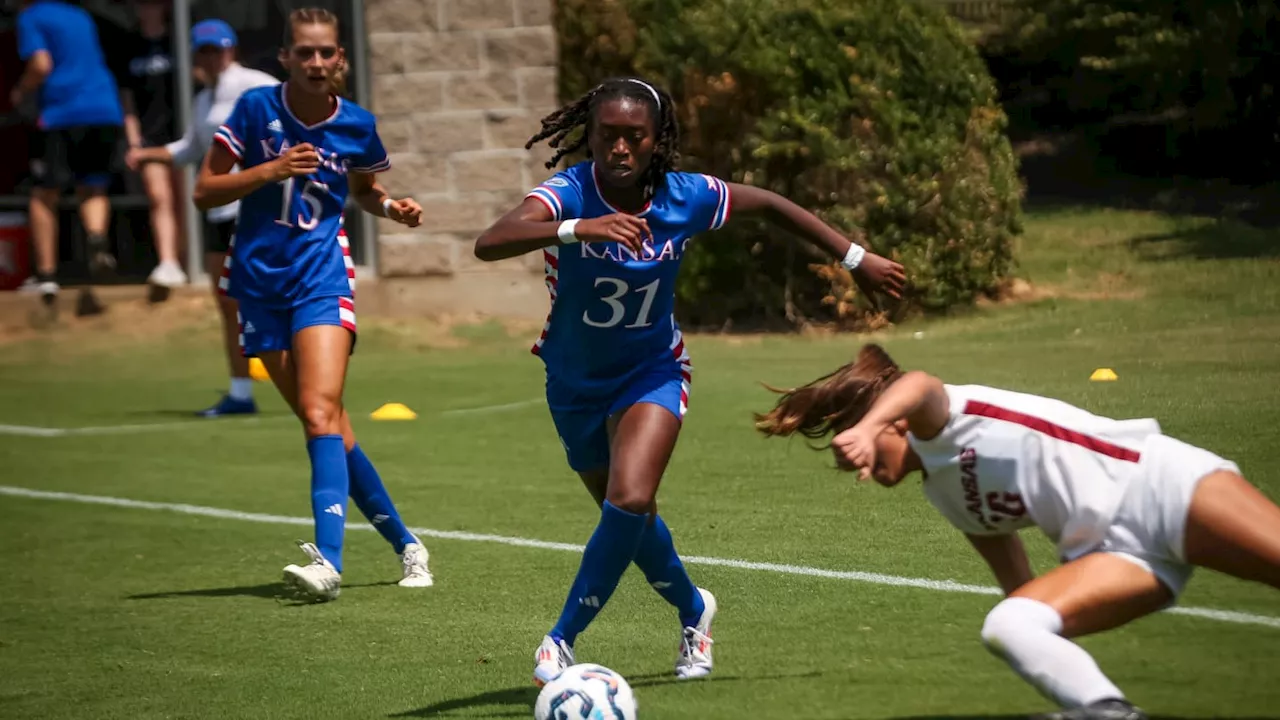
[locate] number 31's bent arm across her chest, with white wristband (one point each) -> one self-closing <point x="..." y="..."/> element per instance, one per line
<point x="531" y="226"/>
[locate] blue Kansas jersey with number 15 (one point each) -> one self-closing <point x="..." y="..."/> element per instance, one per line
<point x="287" y="245"/>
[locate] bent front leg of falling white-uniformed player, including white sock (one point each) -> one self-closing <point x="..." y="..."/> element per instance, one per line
<point x="1091" y="595"/>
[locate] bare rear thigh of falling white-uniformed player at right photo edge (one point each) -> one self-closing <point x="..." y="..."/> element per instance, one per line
<point x="1233" y="528"/>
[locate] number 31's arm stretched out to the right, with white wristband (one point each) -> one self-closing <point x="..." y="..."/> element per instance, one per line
<point x="871" y="272"/>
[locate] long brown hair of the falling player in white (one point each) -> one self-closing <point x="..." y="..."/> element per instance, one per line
<point x="833" y="403"/>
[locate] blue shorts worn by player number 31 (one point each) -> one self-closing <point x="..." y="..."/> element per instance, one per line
<point x="582" y="421"/>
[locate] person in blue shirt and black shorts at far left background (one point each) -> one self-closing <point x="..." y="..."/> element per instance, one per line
<point x="80" y="122"/>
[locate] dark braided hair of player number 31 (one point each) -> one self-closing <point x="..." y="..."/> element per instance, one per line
<point x="564" y="124"/>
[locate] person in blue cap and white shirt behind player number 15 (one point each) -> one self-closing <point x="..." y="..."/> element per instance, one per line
<point x="226" y="80"/>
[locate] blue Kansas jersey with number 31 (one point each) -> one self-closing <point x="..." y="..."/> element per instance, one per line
<point x="611" y="312"/>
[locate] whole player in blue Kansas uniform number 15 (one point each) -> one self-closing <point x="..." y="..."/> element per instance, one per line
<point x="303" y="149"/>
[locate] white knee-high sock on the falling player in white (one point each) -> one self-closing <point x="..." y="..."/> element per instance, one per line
<point x="1026" y="635"/>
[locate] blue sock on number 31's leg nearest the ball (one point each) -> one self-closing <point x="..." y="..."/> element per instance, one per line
<point x="607" y="555"/>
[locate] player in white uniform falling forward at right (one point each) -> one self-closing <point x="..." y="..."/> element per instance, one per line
<point x="1131" y="511"/>
